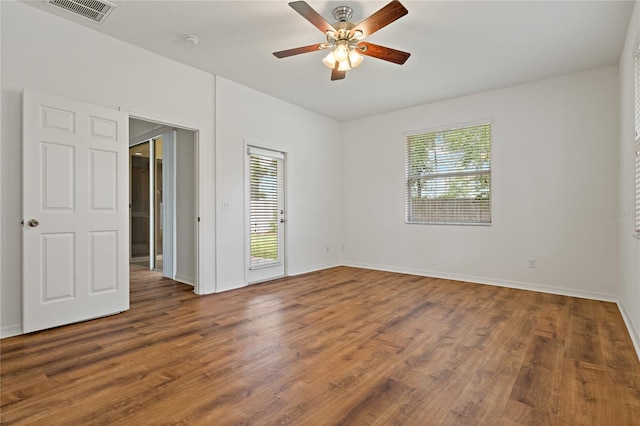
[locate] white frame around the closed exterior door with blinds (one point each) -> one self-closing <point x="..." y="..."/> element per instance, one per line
<point x="247" y="200"/>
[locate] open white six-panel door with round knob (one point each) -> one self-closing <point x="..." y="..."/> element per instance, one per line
<point x="75" y="206"/>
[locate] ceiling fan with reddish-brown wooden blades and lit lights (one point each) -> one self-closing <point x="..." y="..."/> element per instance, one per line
<point x="345" y="39"/>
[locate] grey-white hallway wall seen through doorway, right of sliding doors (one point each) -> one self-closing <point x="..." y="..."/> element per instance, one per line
<point x="186" y="206"/>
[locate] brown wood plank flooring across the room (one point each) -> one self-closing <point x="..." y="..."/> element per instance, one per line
<point x="342" y="346"/>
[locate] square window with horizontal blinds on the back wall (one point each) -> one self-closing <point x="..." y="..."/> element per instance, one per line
<point x="448" y="175"/>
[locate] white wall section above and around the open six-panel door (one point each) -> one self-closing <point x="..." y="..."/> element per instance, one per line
<point x="43" y="52"/>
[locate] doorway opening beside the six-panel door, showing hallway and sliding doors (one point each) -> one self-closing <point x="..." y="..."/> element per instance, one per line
<point x="162" y="199"/>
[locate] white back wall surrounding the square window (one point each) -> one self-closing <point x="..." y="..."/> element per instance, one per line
<point x="554" y="180"/>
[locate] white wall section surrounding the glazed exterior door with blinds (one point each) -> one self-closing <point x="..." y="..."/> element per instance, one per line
<point x="312" y="144"/>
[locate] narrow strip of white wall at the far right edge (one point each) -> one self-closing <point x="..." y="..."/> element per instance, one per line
<point x="629" y="246"/>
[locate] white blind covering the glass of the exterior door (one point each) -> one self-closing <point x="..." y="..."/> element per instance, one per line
<point x="266" y="195"/>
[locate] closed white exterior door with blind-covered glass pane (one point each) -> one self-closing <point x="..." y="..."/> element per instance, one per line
<point x="265" y="252"/>
